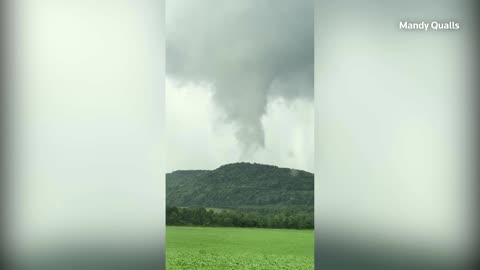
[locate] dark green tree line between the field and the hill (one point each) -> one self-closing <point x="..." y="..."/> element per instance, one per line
<point x="256" y="218"/>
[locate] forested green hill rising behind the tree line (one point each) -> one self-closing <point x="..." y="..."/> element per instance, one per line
<point x="241" y="185"/>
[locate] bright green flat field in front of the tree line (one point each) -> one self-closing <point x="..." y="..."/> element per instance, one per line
<point x="239" y="248"/>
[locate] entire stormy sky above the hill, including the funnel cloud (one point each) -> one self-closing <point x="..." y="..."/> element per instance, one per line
<point x="239" y="83"/>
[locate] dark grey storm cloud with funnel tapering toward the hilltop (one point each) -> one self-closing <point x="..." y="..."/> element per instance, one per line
<point x="250" y="51"/>
